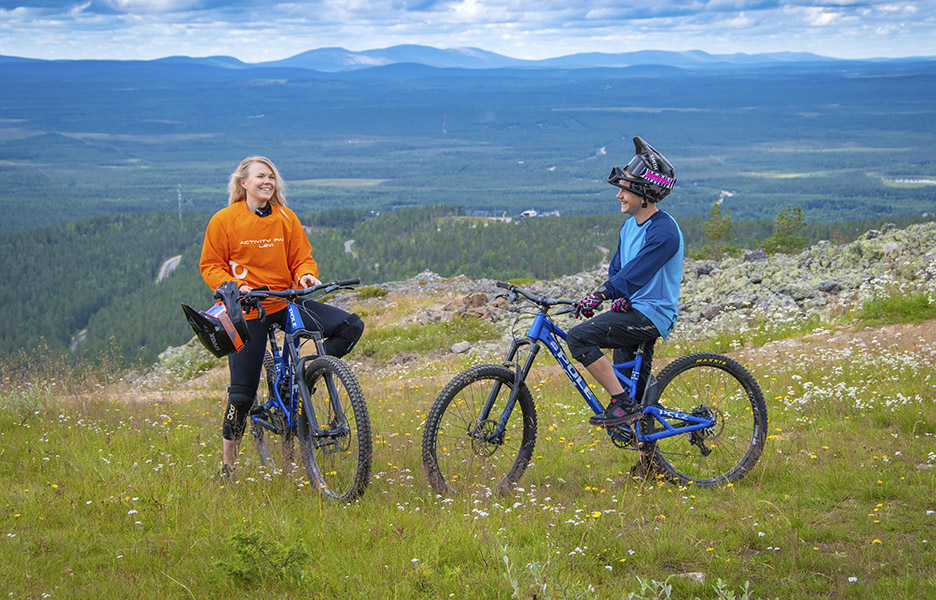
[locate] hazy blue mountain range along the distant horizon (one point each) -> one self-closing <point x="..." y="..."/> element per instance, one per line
<point x="340" y="59"/>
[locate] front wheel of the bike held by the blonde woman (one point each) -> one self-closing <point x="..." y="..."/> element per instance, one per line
<point x="339" y="463"/>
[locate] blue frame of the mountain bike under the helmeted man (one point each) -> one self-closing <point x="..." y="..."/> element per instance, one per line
<point x="544" y="331"/>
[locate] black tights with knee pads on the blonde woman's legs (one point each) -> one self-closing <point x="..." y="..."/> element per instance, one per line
<point x="340" y="329"/>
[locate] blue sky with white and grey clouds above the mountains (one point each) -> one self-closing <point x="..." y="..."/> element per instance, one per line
<point x="259" y="30"/>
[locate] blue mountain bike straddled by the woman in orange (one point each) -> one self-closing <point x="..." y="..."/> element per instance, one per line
<point x="315" y="398"/>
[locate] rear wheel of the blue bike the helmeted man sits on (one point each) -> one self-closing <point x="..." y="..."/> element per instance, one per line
<point x="724" y="388"/>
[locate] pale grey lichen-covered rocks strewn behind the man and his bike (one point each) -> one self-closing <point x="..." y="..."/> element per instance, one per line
<point x="738" y="292"/>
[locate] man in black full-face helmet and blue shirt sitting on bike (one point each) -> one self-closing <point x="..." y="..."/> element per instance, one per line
<point x="643" y="283"/>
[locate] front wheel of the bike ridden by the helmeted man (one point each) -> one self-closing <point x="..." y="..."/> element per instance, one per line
<point x="458" y="463"/>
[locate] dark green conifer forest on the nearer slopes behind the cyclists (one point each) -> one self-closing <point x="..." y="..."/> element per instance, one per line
<point x="88" y="289"/>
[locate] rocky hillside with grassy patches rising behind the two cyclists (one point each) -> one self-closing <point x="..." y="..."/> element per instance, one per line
<point x="819" y="295"/>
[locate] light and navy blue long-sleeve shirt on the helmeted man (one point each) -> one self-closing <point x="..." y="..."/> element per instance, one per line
<point x="647" y="268"/>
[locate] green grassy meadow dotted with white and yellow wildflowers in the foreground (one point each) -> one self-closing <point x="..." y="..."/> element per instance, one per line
<point x="103" y="496"/>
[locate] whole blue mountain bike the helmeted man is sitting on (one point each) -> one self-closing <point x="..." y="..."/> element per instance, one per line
<point x="704" y="418"/>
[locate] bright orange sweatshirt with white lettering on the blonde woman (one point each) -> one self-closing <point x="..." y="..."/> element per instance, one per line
<point x="257" y="251"/>
